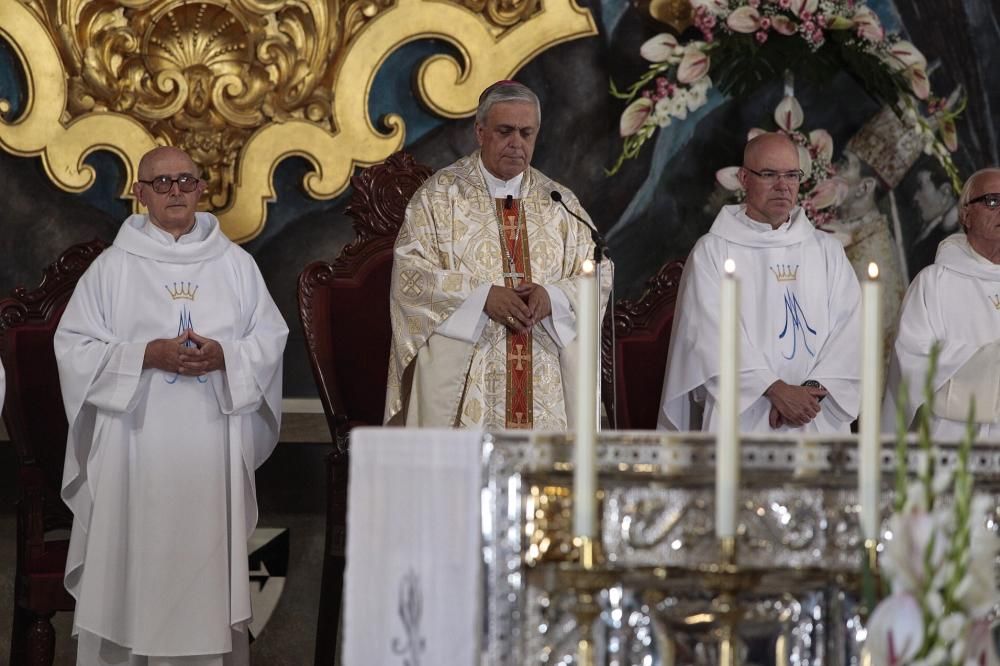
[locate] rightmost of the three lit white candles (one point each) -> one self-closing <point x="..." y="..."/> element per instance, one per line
<point x="869" y="459"/>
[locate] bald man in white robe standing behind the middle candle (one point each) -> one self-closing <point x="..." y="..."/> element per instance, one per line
<point x="799" y="334"/>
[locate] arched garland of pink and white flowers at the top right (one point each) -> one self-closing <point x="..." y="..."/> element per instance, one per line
<point x="746" y="43"/>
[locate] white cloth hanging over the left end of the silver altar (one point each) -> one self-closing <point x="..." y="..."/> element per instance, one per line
<point x="413" y="577"/>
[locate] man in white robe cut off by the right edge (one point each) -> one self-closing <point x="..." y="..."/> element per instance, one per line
<point x="955" y="302"/>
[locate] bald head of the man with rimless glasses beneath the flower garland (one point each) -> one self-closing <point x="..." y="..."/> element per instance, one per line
<point x="770" y="178"/>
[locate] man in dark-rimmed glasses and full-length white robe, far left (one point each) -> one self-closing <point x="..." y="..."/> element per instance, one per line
<point x="169" y="357"/>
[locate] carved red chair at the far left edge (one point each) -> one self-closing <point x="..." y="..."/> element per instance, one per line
<point x="36" y="422"/>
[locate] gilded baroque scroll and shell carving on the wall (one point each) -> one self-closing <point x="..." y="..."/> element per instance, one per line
<point x="243" y="84"/>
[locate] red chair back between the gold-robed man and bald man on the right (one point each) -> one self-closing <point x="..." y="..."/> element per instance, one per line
<point x="642" y="338"/>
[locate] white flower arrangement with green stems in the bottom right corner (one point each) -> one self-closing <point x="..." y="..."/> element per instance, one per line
<point x="940" y="563"/>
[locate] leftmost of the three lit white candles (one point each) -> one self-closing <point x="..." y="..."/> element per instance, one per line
<point x="585" y="454"/>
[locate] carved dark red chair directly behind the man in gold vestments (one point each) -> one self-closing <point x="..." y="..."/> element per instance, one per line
<point x="344" y="309"/>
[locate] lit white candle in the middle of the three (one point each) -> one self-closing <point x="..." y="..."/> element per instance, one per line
<point x="727" y="451"/>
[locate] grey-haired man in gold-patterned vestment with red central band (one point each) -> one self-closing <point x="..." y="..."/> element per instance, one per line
<point x="484" y="284"/>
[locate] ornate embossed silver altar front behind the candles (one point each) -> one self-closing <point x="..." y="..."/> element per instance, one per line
<point x="792" y="590"/>
